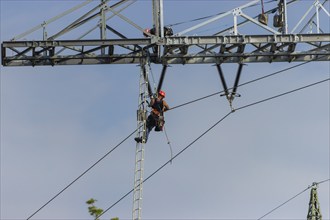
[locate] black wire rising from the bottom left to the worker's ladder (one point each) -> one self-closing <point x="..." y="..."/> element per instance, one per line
<point x="81" y="175"/>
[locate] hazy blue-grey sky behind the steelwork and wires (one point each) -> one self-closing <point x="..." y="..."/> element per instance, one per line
<point x="57" y="121"/>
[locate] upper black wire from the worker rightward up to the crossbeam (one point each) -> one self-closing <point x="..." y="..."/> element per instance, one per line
<point x="246" y="83"/>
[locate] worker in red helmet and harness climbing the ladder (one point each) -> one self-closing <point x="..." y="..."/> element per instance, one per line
<point x="156" y="118"/>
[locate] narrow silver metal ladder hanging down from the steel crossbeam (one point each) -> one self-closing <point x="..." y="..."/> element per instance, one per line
<point x="139" y="154"/>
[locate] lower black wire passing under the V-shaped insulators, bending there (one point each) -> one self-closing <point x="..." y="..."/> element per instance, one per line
<point x="209" y="129"/>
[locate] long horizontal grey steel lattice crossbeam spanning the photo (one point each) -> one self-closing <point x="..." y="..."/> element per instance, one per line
<point x="177" y="50"/>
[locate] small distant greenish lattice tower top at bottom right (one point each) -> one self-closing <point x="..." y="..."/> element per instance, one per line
<point x="314" y="210"/>
